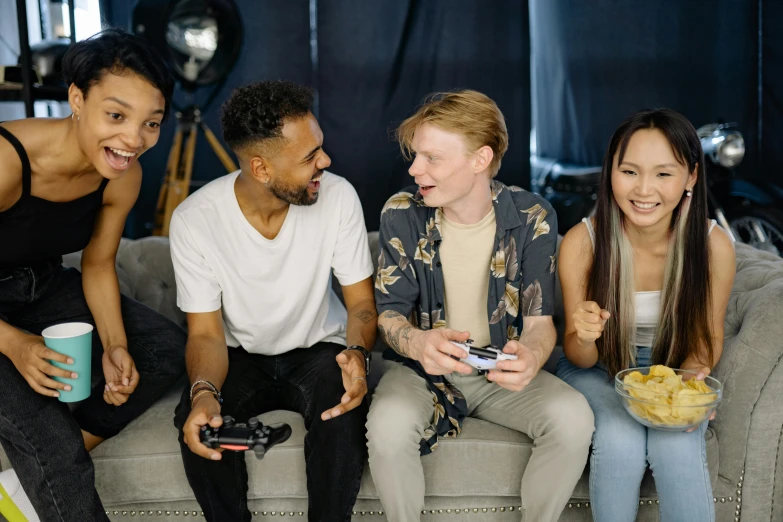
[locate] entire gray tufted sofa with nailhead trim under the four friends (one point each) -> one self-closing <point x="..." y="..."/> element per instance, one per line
<point x="139" y="473"/>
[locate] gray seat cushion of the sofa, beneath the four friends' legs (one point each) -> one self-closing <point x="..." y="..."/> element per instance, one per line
<point x="143" y="463"/>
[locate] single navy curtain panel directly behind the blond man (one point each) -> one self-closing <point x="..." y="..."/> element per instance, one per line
<point x="379" y="59"/>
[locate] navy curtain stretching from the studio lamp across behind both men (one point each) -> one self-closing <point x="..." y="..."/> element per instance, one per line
<point x="376" y="61"/>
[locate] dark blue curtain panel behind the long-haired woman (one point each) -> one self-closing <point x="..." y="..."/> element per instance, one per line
<point x="596" y="63"/>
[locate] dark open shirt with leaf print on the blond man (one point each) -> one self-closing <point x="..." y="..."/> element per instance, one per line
<point x="410" y="280"/>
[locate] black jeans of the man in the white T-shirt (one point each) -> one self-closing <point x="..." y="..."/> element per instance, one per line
<point x="308" y="381"/>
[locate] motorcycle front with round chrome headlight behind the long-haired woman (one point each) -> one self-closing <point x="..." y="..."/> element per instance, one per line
<point x="749" y="210"/>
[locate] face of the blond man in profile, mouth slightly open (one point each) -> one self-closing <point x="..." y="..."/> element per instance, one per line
<point x="443" y="168"/>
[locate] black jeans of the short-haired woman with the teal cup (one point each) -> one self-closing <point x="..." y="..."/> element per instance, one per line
<point x="40" y="435"/>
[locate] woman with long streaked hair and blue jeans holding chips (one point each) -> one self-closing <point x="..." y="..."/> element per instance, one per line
<point x="645" y="281"/>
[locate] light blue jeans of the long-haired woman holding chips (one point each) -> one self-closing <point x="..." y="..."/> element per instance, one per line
<point x="623" y="448"/>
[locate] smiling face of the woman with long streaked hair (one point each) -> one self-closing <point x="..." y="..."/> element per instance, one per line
<point x="650" y="182"/>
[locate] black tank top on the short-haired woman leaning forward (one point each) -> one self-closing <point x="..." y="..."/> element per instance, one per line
<point x="35" y="229"/>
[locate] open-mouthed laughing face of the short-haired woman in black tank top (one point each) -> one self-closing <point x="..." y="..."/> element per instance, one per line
<point x="118" y="121"/>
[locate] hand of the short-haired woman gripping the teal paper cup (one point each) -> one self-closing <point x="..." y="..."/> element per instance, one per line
<point x="31" y="357"/>
